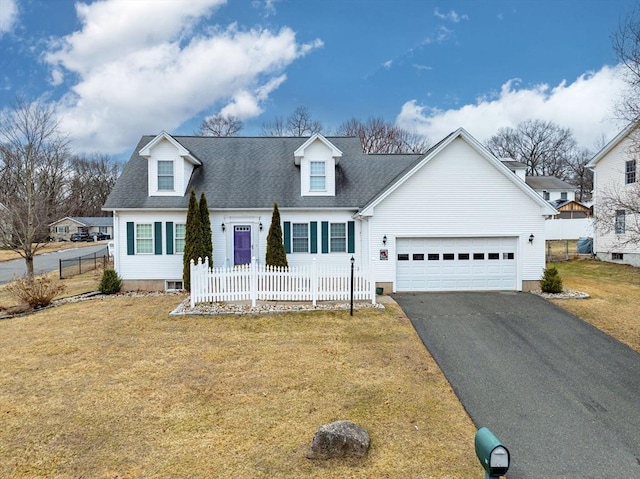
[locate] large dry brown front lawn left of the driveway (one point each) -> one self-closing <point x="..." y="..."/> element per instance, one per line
<point x="115" y="388"/>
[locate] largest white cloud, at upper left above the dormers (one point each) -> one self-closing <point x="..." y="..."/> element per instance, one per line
<point x="136" y="77"/>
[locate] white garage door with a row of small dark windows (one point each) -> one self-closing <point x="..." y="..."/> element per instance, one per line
<point x="455" y="264"/>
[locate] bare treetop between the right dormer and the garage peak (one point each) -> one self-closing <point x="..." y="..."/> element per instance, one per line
<point x="378" y="136"/>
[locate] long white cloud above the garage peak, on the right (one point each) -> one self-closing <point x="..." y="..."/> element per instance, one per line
<point x="585" y="106"/>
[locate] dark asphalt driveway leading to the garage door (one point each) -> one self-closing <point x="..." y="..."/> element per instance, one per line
<point x="561" y="395"/>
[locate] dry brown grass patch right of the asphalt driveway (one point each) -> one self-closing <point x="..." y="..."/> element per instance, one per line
<point x="615" y="297"/>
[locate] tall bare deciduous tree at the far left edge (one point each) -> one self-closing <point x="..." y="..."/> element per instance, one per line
<point x="33" y="167"/>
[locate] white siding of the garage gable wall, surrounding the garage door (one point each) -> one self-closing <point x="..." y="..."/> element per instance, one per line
<point x="459" y="193"/>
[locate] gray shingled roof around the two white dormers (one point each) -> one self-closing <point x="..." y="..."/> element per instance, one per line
<point x="242" y="172"/>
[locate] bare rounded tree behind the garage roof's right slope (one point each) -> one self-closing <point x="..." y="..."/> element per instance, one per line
<point x="543" y="146"/>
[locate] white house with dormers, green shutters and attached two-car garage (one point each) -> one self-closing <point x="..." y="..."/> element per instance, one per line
<point x="455" y="218"/>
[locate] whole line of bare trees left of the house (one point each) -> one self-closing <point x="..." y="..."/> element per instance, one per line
<point x="42" y="179"/>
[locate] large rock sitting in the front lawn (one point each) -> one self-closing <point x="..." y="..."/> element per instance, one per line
<point x="339" y="439"/>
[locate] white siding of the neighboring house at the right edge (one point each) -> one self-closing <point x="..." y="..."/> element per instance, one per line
<point x="610" y="174"/>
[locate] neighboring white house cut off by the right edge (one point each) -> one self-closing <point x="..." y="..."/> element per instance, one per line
<point x="616" y="170"/>
